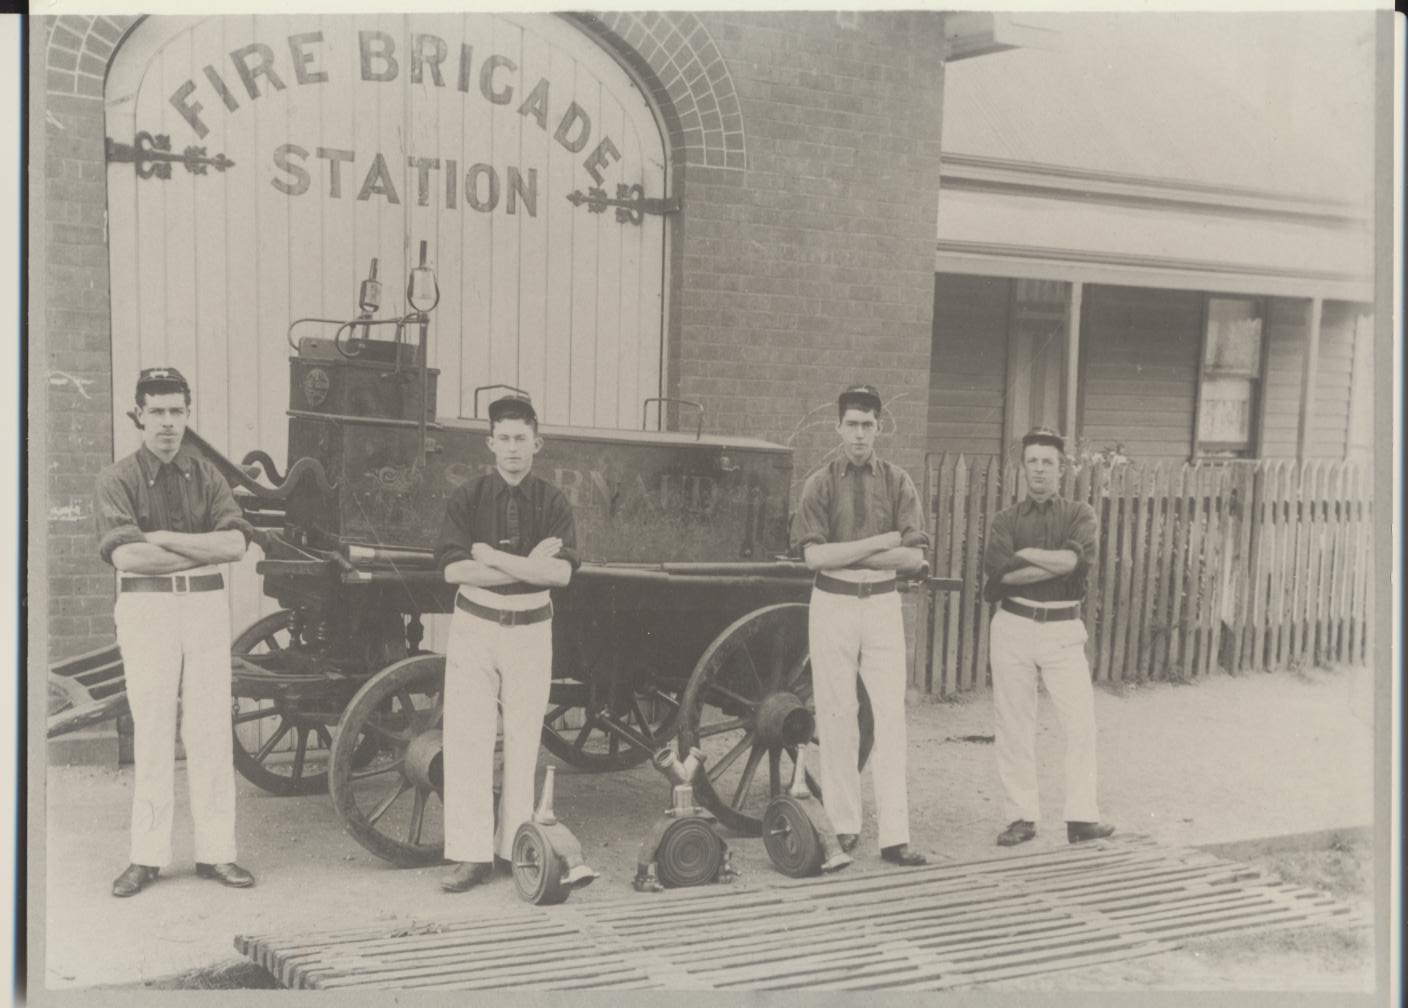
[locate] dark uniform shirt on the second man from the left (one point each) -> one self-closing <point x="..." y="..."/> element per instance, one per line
<point x="478" y="512"/>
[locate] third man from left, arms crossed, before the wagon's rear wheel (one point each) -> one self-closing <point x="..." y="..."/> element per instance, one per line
<point x="858" y="523"/>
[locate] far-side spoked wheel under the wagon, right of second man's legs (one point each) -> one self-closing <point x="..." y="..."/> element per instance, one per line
<point x="602" y="738"/>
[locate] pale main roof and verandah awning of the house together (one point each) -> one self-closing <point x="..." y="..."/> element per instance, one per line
<point x="1195" y="151"/>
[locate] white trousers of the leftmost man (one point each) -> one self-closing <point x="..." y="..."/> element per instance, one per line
<point x="178" y="645"/>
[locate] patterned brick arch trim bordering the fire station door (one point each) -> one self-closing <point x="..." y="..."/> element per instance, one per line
<point x="672" y="53"/>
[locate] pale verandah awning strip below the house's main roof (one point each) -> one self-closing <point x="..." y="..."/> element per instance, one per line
<point x="1061" y="226"/>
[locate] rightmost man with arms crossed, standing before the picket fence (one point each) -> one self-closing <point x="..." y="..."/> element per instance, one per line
<point x="1036" y="564"/>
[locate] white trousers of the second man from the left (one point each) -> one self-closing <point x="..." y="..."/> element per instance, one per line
<point x="492" y="669"/>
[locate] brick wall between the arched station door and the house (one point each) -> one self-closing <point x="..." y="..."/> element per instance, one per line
<point x="815" y="265"/>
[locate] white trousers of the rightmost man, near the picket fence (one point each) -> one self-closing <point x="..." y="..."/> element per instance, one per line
<point x="1020" y="650"/>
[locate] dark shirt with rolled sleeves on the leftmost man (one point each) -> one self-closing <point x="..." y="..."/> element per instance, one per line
<point x="142" y="493"/>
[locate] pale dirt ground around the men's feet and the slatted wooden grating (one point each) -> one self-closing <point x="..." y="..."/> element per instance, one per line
<point x="1217" y="762"/>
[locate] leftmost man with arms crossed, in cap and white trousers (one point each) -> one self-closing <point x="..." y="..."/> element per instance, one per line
<point x="167" y="520"/>
